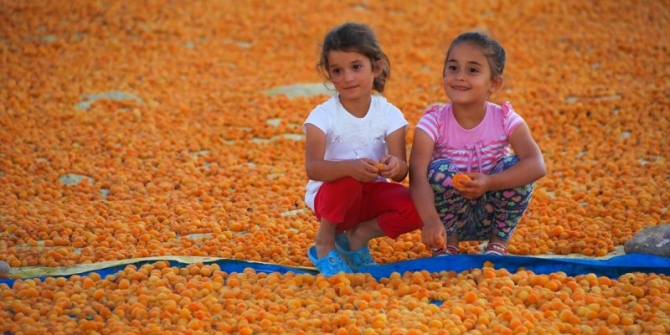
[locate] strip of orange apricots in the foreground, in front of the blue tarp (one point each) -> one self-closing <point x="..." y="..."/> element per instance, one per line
<point x="200" y="298"/>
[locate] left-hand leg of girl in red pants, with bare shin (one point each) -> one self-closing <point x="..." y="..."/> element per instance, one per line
<point x="337" y="205"/>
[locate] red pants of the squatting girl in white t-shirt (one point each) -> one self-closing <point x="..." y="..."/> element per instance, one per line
<point x="348" y="202"/>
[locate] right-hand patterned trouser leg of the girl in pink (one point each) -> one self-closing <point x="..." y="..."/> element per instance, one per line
<point x="507" y="206"/>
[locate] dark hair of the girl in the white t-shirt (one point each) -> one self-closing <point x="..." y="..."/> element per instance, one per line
<point x="356" y="37"/>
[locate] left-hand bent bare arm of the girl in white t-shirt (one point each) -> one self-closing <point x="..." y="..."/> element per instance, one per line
<point x="322" y="170"/>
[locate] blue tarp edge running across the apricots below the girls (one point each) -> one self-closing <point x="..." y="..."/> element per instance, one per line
<point x="612" y="267"/>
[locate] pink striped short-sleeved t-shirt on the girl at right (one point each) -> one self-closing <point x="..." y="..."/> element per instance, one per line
<point x="476" y="149"/>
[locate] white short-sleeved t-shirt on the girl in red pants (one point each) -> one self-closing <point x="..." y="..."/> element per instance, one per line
<point x="349" y="137"/>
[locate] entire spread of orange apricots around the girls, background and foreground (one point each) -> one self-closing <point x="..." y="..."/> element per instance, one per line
<point x="155" y="128"/>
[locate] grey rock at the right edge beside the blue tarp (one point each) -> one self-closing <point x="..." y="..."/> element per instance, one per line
<point x="652" y="240"/>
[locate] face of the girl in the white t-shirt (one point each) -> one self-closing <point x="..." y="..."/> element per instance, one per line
<point x="351" y="73"/>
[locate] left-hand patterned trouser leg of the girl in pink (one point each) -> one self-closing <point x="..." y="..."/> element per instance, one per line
<point x="454" y="210"/>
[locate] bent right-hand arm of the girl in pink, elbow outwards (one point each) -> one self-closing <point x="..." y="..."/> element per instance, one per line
<point x="529" y="168"/>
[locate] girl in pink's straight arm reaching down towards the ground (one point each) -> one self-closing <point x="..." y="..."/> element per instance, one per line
<point x="422" y="193"/>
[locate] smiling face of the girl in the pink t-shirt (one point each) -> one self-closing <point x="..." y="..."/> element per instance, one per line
<point x="467" y="75"/>
